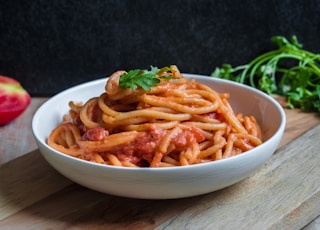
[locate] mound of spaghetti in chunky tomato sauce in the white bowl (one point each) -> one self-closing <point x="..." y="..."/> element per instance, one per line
<point x="177" y="122"/>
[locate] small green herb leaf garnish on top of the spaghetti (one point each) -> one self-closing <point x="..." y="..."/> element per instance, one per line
<point x="143" y="78"/>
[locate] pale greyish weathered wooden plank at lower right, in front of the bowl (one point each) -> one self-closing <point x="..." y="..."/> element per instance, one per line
<point x="284" y="194"/>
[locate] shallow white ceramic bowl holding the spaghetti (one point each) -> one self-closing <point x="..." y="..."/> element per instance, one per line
<point x="163" y="183"/>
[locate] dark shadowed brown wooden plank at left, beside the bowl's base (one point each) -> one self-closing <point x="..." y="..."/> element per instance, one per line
<point x="25" y="181"/>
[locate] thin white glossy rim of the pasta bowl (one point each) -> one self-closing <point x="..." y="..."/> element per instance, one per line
<point x="103" y="80"/>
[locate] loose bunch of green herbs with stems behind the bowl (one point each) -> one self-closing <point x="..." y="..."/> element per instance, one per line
<point x="288" y="71"/>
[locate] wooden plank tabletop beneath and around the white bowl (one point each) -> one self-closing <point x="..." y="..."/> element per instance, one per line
<point x="283" y="194"/>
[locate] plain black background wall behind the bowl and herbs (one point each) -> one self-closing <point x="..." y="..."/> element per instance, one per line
<point x="52" y="45"/>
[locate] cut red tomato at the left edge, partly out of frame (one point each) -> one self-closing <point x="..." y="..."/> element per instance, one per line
<point x="14" y="99"/>
